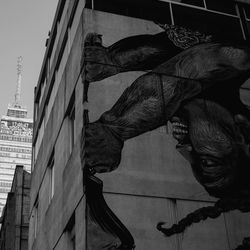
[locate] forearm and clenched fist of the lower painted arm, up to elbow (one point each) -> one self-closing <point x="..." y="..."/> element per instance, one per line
<point x="147" y="104"/>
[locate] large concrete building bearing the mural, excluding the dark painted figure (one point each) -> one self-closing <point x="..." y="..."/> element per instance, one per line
<point x="140" y="197"/>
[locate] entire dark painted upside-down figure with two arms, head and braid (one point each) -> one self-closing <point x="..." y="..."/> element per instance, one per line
<point x="193" y="82"/>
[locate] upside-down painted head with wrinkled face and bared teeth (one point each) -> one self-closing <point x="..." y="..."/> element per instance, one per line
<point x="218" y="149"/>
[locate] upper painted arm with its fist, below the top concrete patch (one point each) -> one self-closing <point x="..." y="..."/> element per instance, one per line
<point x="142" y="52"/>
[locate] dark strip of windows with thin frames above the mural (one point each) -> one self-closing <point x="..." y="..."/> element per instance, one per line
<point x="210" y="19"/>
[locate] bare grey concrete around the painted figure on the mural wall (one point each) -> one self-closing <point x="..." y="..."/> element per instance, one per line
<point x="153" y="182"/>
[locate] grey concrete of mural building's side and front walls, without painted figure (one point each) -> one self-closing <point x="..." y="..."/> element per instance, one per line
<point x="153" y="182"/>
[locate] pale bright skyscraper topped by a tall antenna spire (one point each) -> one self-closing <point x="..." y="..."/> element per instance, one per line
<point x="15" y="142"/>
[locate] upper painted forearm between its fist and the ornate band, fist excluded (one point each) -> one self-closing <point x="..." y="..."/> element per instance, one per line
<point x="142" y="52"/>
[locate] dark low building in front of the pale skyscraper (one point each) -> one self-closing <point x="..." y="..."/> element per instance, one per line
<point x="15" y="217"/>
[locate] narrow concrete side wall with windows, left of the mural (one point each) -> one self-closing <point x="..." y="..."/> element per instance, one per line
<point x="68" y="196"/>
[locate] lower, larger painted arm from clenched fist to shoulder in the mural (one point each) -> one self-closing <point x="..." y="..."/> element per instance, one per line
<point x="154" y="97"/>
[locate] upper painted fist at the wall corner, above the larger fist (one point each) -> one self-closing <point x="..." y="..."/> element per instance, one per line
<point x="96" y="61"/>
